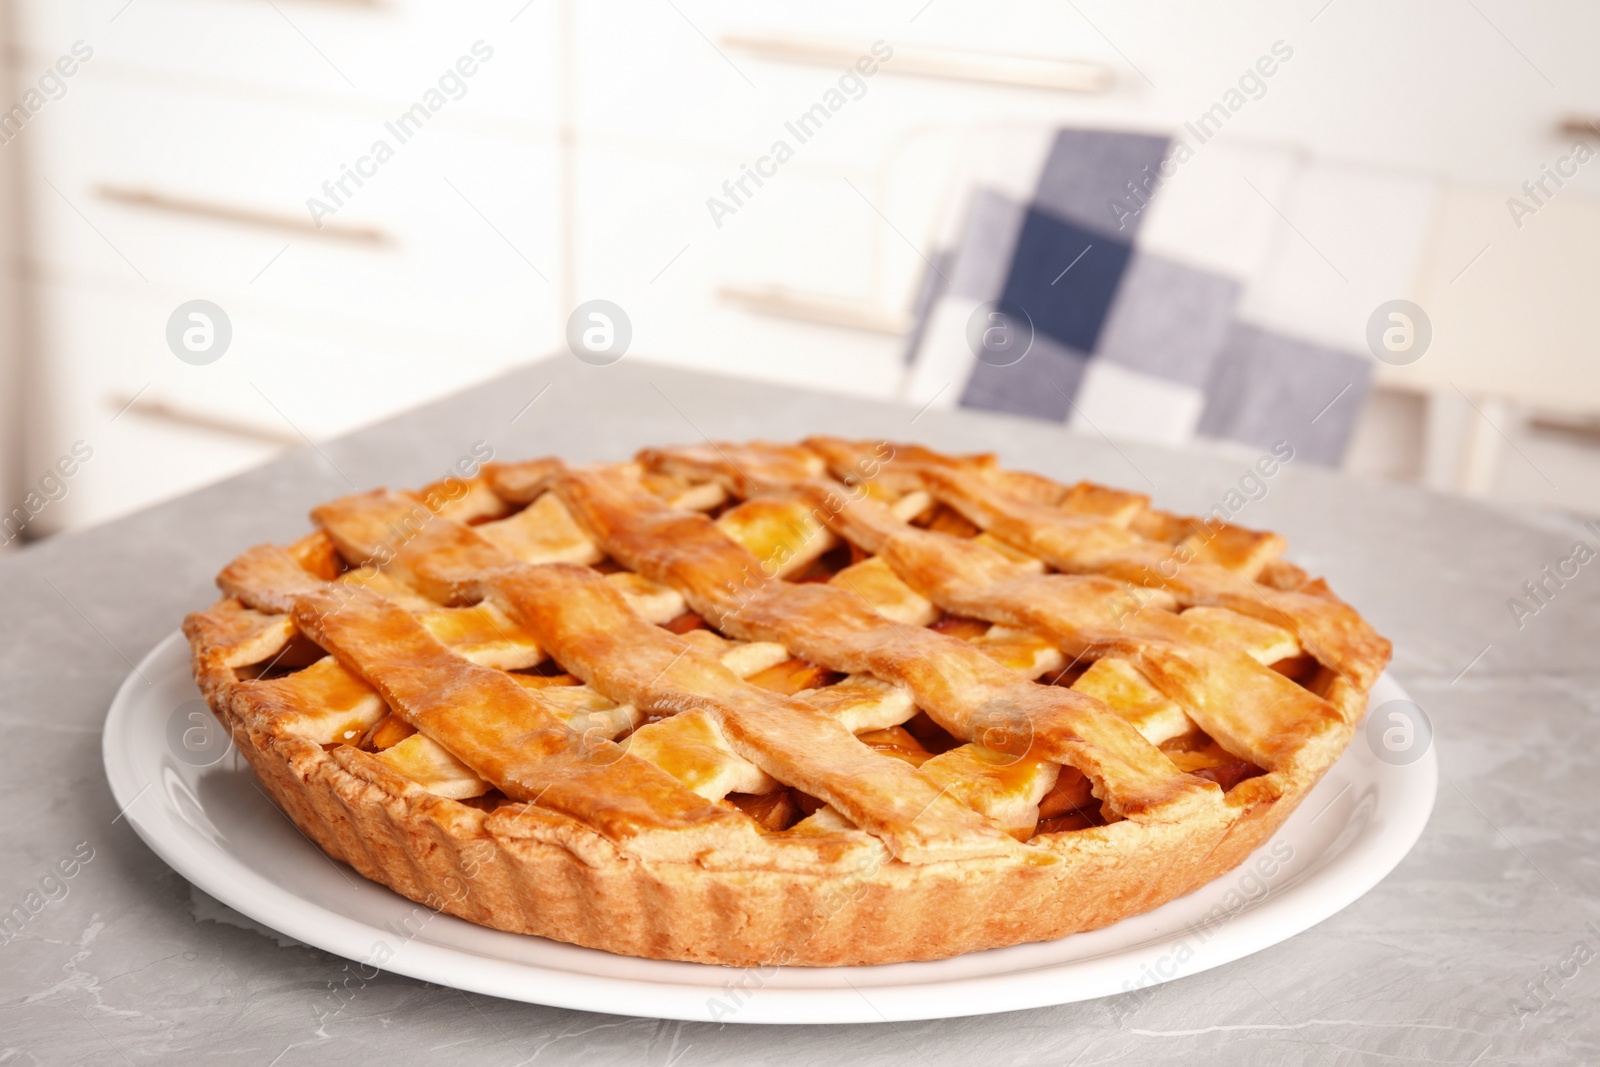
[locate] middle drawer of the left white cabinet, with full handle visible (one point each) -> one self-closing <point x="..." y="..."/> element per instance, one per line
<point x="444" y="244"/>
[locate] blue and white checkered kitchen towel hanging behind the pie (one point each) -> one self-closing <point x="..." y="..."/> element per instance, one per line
<point x="1156" y="290"/>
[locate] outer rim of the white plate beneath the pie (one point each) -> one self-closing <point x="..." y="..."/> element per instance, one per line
<point x="1276" y="917"/>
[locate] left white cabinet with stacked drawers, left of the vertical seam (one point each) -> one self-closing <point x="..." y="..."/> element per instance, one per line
<point x="178" y="164"/>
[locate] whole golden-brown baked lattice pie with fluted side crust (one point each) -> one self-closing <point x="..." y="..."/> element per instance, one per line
<point x="814" y="705"/>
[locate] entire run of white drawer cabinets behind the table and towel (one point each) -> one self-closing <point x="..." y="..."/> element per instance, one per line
<point x="578" y="164"/>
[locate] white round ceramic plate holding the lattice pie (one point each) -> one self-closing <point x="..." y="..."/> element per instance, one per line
<point x="218" y="829"/>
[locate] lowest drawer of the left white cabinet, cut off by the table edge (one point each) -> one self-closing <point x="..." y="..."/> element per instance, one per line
<point x="282" y="382"/>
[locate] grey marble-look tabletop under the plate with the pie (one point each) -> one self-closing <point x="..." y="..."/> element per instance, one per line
<point x="1479" y="949"/>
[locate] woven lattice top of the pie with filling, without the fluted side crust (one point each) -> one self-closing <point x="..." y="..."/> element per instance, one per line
<point x="762" y="650"/>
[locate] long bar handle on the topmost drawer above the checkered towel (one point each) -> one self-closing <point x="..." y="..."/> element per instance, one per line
<point x="959" y="65"/>
